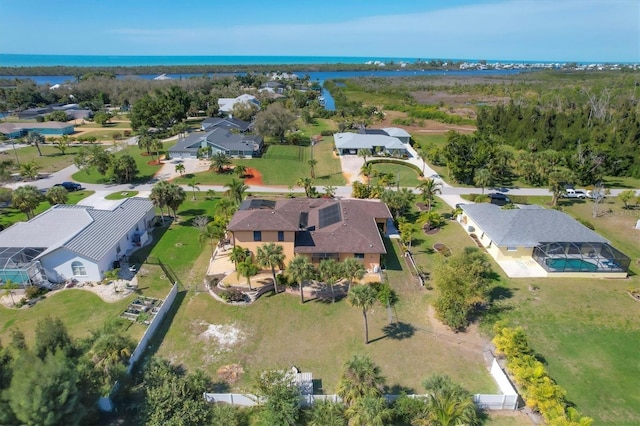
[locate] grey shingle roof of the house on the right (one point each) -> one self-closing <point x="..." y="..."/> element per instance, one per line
<point x="528" y="227"/>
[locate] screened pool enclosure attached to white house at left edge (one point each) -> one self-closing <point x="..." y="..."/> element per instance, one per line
<point x="18" y="265"/>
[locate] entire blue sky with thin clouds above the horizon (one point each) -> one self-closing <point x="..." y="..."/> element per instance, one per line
<point x="536" y="30"/>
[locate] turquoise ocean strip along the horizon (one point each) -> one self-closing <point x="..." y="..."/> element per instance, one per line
<point x="15" y="60"/>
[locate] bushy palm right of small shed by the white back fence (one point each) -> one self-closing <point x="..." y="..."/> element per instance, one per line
<point x="360" y="378"/>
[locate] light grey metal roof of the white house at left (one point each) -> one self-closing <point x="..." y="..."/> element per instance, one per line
<point x="87" y="231"/>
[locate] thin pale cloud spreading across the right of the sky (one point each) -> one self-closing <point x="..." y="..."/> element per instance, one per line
<point x="521" y="29"/>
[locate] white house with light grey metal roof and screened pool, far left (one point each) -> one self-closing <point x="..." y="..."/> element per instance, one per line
<point x="73" y="242"/>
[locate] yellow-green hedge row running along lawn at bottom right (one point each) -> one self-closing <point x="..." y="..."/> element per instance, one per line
<point x="538" y="390"/>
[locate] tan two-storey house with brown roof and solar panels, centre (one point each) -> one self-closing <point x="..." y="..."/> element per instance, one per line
<point x="316" y="228"/>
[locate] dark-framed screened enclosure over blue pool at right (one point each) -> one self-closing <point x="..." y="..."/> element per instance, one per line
<point x="580" y="257"/>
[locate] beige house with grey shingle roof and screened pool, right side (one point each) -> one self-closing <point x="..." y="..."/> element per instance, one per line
<point x="557" y="243"/>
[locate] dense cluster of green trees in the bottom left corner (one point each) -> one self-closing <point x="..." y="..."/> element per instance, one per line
<point x="57" y="379"/>
